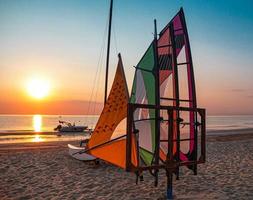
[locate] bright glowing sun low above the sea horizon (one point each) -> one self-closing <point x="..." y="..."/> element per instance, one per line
<point x="38" y="88"/>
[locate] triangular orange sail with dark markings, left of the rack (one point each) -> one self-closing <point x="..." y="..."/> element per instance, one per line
<point x="108" y="141"/>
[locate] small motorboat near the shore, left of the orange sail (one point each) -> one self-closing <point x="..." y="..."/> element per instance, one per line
<point x="68" y="127"/>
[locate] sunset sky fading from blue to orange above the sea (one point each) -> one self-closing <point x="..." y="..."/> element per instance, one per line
<point x="61" y="41"/>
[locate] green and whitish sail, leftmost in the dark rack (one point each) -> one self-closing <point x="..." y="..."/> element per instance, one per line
<point x="143" y="92"/>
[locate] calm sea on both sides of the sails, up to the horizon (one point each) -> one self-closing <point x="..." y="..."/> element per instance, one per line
<point x="39" y="128"/>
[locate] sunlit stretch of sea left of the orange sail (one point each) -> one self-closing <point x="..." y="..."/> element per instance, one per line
<point x="40" y="128"/>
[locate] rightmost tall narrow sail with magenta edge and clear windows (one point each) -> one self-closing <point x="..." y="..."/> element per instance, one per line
<point x="186" y="85"/>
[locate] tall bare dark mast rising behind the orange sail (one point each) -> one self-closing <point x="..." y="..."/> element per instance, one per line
<point x="108" y="50"/>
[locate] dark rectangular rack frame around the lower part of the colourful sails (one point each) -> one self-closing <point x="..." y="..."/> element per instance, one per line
<point x="171" y="162"/>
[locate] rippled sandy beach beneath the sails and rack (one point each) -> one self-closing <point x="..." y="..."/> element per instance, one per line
<point x="46" y="171"/>
